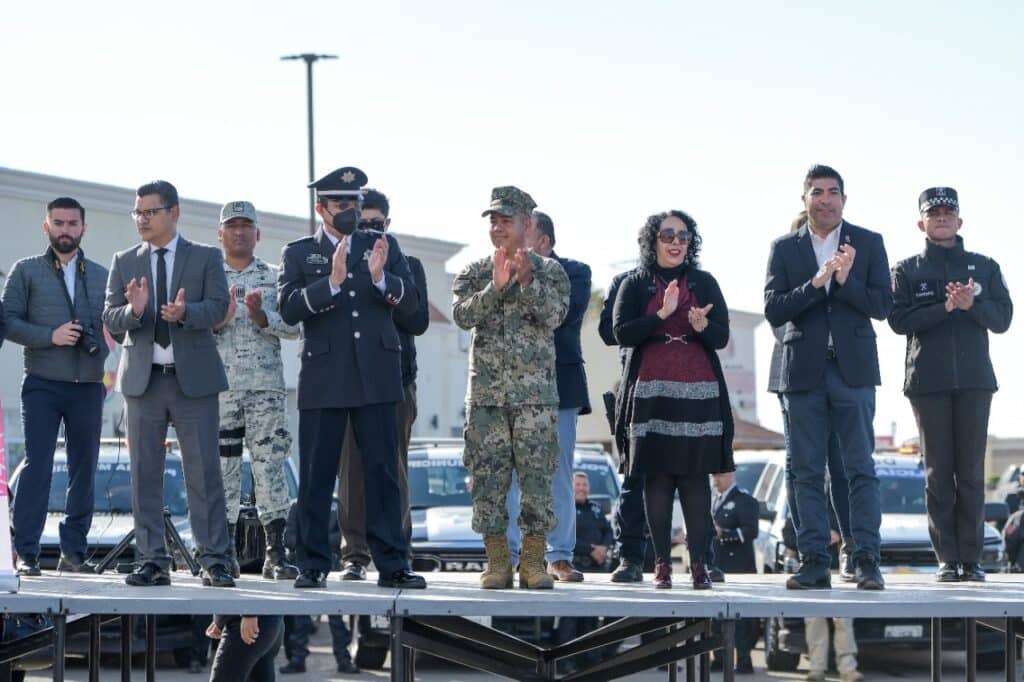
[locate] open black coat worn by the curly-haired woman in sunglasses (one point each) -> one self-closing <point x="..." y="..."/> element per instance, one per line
<point x="633" y="328"/>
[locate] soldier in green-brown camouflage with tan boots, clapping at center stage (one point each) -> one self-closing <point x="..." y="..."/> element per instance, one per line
<point x="513" y="302"/>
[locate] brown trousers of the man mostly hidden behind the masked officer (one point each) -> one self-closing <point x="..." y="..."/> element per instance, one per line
<point x="352" y="500"/>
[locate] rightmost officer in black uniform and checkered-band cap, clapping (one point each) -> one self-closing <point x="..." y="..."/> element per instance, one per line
<point x="947" y="301"/>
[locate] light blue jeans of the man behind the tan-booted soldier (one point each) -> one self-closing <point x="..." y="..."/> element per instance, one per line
<point x="562" y="539"/>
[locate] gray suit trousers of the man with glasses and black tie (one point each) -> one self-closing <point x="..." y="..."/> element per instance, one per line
<point x="196" y="422"/>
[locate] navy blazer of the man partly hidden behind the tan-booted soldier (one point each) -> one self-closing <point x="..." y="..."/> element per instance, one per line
<point x="569" y="355"/>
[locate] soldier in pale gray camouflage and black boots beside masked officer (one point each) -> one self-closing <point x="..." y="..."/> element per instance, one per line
<point x="253" y="407"/>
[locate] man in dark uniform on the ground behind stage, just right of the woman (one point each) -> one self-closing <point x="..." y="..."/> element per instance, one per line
<point x="736" y="515"/>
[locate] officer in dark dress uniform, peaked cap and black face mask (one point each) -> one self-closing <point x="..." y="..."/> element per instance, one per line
<point x="344" y="285"/>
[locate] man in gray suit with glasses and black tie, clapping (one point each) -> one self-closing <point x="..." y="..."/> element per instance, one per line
<point x="170" y="372"/>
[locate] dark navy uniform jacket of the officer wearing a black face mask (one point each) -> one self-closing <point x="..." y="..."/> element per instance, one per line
<point x="351" y="347"/>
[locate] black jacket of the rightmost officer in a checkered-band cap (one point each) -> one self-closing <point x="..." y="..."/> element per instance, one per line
<point x="949" y="352"/>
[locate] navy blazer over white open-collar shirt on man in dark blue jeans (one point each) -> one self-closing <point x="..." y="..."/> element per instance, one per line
<point x="810" y="315"/>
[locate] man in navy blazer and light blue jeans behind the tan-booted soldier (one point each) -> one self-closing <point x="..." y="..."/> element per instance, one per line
<point x="573" y="401"/>
